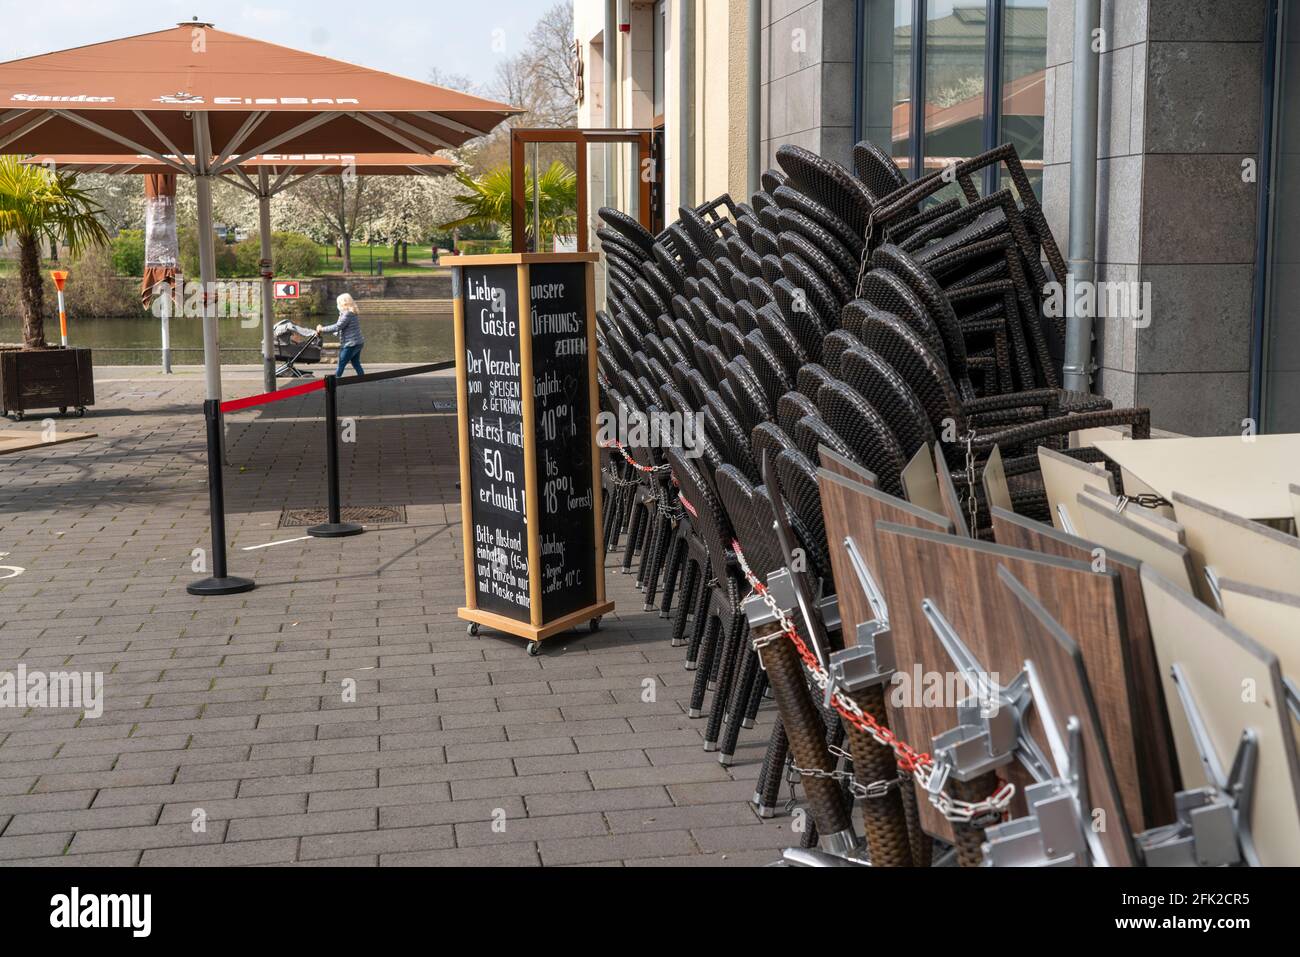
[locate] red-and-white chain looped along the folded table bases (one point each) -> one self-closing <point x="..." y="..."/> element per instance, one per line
<point x="920" y="765"/>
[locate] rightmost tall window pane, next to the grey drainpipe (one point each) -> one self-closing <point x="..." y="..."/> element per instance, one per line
<point x="1025" y="59"/>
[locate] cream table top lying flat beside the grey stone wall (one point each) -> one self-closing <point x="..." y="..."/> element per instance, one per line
<point x="1249" y="477"/>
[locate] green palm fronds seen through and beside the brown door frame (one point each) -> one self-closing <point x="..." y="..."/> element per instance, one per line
<point x="487" y="205"/>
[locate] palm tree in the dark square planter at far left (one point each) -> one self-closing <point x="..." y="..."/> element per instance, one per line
<point x="37" y="205"/>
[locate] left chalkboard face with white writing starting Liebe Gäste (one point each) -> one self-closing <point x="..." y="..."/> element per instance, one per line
<point x="495" y="406"/>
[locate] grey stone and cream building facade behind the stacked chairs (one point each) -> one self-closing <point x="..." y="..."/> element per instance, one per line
<point x="1198" y="138"/>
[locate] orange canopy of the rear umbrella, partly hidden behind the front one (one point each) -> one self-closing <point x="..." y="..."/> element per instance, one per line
<point x="278" y="164"/>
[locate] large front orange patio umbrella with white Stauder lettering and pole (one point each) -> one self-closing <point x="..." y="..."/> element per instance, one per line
<point x="197" y="92"/>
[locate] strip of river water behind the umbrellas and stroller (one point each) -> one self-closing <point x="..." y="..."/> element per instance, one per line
<point x="395" y="339"/>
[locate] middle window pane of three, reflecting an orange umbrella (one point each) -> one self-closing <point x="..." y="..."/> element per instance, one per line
<point x="955" y="81"/>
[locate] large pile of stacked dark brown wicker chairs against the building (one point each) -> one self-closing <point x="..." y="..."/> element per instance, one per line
<point x="844" y="310"/>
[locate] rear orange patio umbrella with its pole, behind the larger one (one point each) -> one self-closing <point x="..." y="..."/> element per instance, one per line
<point x="275" y="174"/>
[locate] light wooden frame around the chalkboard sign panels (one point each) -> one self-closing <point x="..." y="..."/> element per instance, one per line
<point x="536" y="630"/>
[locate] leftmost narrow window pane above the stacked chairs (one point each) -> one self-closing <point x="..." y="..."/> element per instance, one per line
<point x="887" y="79"/>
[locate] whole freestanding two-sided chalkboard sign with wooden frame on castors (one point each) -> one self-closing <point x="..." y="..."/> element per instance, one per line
<point x="531" y="492"/>
